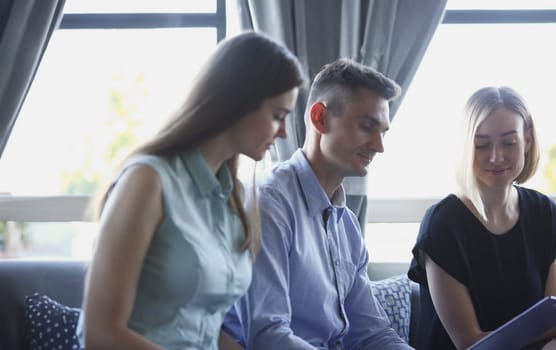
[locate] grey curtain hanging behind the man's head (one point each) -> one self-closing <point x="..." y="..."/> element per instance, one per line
<point x="389" y="35"/>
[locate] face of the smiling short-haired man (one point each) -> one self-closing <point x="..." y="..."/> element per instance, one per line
<point x="354" y="137"/>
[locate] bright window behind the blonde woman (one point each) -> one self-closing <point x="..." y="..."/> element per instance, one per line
<point x="474" y="50"/>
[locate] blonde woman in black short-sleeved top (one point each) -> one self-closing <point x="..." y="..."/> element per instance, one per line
<point x="487" y="253"/>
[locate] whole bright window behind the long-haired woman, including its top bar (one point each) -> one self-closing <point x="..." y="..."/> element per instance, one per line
<point x="110" y="76"/>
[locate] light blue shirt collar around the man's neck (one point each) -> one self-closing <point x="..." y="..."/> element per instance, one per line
<point x="316" y="199"/>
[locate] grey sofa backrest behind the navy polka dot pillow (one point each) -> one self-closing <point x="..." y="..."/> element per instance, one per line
<point x="60" y="280"/>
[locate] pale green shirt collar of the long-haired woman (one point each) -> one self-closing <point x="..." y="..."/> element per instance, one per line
<point x="204" y="179"/>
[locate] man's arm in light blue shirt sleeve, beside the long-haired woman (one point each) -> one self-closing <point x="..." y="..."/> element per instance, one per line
<point x="268" y="295"/>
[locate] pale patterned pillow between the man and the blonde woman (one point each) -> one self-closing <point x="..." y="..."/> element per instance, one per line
<point x="394" y="295"/>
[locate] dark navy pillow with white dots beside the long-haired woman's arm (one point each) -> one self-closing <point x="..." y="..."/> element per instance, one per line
<point x="50" y="325"/>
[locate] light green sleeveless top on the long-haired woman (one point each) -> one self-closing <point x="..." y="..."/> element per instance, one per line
<point x="193" y="270"/>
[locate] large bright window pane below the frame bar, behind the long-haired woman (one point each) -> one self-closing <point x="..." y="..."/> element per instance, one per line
<point x="97" y="92"/>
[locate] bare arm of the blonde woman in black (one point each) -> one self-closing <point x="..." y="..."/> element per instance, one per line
<point x="453" y="306"/>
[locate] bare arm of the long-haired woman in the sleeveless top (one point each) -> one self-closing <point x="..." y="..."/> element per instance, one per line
<point x="131" y="214"/>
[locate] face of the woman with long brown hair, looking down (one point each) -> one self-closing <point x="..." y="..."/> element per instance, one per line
<point x="257" y="131"/>
